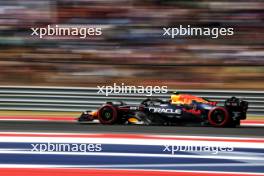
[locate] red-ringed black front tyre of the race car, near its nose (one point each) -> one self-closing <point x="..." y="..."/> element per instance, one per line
<point x="107" y="114"/>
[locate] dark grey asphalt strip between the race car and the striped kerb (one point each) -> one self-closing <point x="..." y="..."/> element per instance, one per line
<point x="61" y="127"/>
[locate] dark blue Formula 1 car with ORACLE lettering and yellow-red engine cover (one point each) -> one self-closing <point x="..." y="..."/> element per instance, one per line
<point x="180" y="109"/>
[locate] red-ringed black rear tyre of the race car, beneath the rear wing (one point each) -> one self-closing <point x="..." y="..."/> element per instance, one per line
<point x="218" y="117"/>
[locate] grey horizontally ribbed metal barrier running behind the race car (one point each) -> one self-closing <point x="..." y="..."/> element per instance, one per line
<point x="80" y="99"/>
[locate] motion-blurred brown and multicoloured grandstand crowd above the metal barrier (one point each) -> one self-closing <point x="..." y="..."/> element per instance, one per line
<point x="132" y="49"/>
